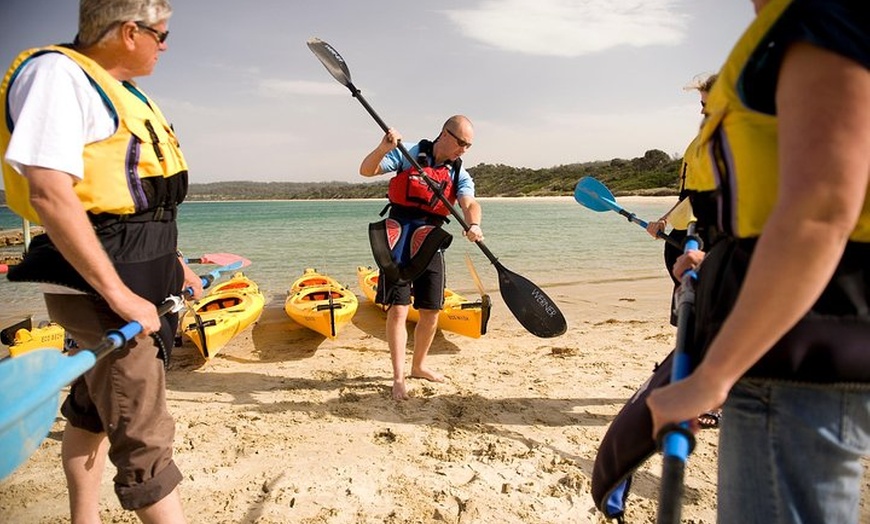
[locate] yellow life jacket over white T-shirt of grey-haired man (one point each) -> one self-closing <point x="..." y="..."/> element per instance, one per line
<point x="117" y="169"/>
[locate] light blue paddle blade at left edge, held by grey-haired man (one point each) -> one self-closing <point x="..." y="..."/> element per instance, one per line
<point x="31" y="385"/>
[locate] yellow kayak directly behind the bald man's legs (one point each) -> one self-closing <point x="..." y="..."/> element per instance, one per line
<point x="459" y="315"/>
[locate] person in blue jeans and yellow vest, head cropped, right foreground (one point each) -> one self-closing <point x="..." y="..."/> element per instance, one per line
<point x="782" y="331"/>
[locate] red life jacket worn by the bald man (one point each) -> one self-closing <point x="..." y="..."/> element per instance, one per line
<point x="408" y="189"/>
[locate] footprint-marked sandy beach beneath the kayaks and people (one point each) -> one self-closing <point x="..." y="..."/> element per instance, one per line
<point x="285" y="426"/>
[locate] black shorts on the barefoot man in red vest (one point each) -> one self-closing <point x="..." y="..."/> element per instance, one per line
<point x="427" y="289"/>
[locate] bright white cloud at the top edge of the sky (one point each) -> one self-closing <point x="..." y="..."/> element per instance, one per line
<point x="571" y="27"/>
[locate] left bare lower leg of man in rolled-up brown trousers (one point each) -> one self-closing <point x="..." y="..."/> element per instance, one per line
<point x="84" y="457"/>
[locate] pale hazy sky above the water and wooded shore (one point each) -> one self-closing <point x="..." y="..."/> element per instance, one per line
<point x="545" y="82"/>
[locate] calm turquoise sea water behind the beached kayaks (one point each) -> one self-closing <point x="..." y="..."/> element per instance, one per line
<point x="547" y="240"/>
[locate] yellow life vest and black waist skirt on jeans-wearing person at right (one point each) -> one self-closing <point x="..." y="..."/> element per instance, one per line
<point x="829" y="343"/>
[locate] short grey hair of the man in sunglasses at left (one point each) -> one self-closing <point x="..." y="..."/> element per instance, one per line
<point x="96" y="17"/>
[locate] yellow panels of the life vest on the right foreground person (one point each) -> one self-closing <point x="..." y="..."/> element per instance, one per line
<point x="741" y="144"/>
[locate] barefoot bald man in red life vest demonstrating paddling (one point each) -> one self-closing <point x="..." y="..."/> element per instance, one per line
<point x="412" y="258"/>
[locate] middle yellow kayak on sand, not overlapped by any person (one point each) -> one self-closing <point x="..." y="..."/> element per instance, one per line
<point x="320" y="303"/>
